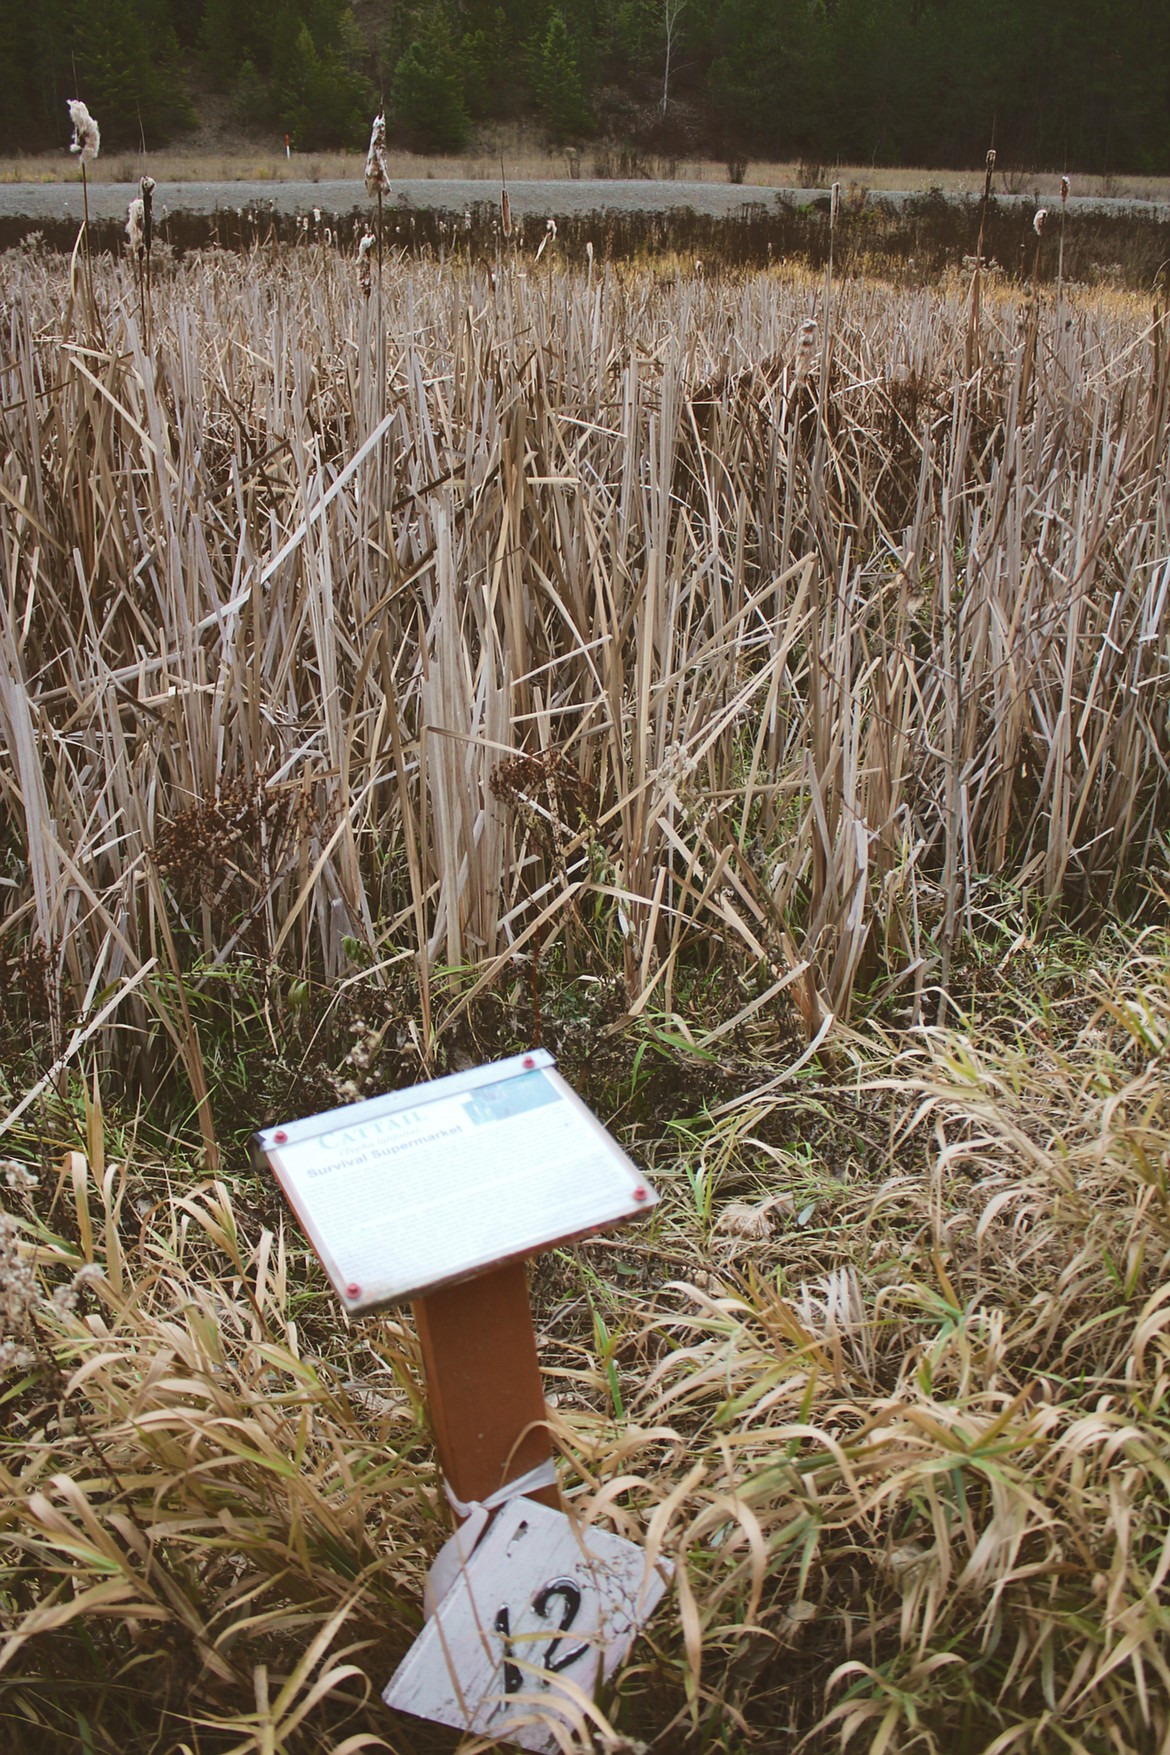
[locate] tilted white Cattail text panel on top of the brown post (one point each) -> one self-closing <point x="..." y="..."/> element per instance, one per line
<point x="446" y="1180"/>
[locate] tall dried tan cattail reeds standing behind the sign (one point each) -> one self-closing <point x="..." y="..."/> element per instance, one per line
<point x="829" y="650"/>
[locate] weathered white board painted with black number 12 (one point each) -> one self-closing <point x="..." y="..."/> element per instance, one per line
<point x="539" y="1612"/>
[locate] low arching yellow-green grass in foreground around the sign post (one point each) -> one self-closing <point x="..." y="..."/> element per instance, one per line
<point x="906" y="1431"/>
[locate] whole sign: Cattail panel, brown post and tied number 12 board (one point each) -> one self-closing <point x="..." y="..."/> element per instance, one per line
<point x="438" y="1194"/>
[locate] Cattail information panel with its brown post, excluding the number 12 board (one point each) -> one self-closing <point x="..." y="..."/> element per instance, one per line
<point x="436" y="1196"/>
